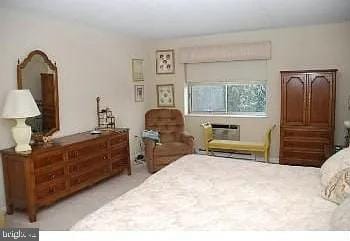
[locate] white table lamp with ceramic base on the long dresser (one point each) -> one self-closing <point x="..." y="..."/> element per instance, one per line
<point x="19" y="105"/>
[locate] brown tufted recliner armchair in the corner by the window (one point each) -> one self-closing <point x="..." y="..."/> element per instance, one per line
<point x="174" y="142"/>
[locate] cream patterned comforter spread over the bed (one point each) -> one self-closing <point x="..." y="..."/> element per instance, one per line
<point x="210" y="193"/>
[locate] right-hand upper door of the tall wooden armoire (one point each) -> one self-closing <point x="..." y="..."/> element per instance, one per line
<point x="320" y="99"/>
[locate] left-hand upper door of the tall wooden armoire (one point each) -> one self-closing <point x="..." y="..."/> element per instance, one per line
<point x="294" y="99"/>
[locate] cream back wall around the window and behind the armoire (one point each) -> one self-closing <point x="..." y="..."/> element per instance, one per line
<point x="311" y="47"/>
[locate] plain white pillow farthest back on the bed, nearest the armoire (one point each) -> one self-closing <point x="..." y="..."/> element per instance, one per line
<point x="335" y="164"/>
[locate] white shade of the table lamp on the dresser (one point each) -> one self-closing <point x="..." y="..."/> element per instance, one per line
<point x="20" y="104"/>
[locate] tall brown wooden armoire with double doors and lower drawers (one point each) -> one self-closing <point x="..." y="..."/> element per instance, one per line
<point x="307" y="116"/>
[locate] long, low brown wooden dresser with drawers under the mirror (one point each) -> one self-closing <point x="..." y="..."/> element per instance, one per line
<point x="56" y="170"/>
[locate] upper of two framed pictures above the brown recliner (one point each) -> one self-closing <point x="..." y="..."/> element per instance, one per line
<point x="165" y="61"/>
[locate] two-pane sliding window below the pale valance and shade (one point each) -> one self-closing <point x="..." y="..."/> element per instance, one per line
<point x="227" y="98"/>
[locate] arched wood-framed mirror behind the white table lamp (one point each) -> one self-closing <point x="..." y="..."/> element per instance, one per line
<point x="38" y="74"/>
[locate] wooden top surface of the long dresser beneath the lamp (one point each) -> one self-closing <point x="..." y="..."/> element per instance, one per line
<point x="66" y="141"/>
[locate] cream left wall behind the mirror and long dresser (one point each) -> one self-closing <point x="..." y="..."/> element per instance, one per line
<point x="90" y="63"/>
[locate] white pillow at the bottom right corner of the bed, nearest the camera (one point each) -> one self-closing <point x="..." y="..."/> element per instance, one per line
<point x="340" y="219"/>
